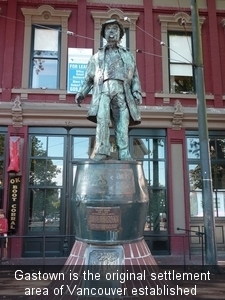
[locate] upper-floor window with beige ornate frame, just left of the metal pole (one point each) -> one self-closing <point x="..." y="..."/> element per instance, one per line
<point x="177" y="76"/>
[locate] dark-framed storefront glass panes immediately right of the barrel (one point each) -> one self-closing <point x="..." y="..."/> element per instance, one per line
<point x="151" y="151"/>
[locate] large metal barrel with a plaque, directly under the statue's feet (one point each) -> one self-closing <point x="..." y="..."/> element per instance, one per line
<point x="109" y="202"/>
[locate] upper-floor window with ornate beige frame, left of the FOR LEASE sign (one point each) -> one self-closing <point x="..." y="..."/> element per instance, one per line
<point x="45" y="49"/>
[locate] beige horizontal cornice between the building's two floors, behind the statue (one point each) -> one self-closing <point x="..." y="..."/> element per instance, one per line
<point x="63" y="114"/>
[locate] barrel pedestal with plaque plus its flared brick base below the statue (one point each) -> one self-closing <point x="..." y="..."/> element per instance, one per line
<point x="109" y="202"/>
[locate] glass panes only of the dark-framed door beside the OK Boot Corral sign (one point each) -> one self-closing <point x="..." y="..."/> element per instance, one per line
<point x="46" y="182"/>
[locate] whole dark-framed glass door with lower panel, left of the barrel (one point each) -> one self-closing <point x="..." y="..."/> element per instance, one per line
<point x="46" y="195"/>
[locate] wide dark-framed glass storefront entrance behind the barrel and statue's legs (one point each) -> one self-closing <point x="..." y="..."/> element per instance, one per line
<point x="53" y="155"/>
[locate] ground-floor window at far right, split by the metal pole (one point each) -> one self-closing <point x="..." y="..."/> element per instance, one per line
<point x="217" y="155"/>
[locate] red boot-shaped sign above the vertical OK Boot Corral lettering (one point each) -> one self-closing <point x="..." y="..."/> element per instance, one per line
<point x="14" y="154"/>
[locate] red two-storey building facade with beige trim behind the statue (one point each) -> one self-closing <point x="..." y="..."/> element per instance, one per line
<point x="50" y="133"/>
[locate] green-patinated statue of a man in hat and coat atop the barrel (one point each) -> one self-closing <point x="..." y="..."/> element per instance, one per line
<point x="113" y="75"/>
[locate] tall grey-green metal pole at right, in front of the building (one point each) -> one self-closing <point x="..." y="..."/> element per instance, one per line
<point x="207" y="191"/>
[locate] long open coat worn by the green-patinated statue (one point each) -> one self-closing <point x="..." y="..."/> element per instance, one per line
<point x="94" y="79"/>
